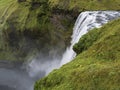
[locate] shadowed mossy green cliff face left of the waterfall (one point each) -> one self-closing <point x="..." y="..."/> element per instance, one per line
<point x="28" y="27"/>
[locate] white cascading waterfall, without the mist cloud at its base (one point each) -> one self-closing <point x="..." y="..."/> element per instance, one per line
<point x="87" y="21"/>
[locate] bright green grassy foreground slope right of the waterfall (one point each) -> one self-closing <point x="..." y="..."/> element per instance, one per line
<point x="96" y="67"/>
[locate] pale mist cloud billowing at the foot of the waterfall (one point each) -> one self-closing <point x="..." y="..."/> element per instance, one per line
<point x="38" y="68"/>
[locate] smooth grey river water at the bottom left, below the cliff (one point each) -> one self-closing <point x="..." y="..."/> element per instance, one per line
<point x="14" y="78"/>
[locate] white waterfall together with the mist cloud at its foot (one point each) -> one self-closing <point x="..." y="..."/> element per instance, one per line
<point x="85" y="22"/>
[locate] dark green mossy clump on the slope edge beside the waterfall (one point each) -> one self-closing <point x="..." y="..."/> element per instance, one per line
<point x="86" y="41"/>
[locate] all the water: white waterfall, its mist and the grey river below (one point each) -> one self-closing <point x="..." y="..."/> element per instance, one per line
<point x="23" y="78"/>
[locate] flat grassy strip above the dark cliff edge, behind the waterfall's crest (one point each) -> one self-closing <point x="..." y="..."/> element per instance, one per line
<point x="81" y="5"/>
